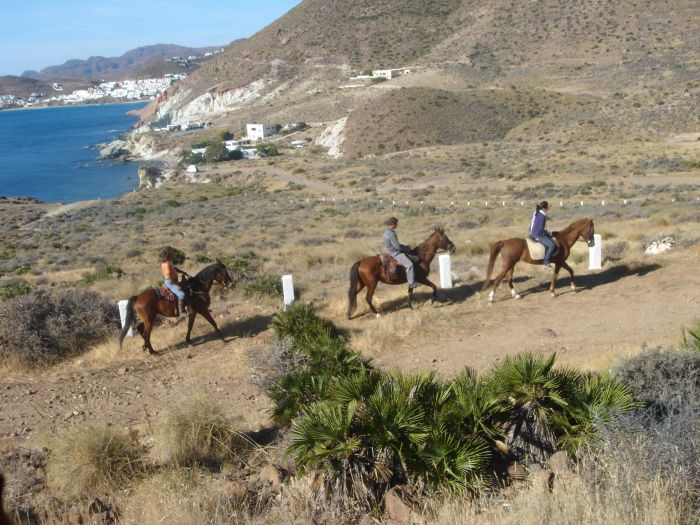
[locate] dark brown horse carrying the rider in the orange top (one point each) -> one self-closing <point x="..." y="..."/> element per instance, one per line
<point x="148" y="304"/>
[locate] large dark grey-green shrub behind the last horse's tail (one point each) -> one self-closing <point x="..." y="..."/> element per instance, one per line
<point x="42" y="328"/>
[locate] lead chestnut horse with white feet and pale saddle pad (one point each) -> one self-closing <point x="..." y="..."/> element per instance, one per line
<point x="514" y="250"/>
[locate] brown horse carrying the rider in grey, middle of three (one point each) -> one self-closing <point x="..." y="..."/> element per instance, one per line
<point x="369" y="271"/>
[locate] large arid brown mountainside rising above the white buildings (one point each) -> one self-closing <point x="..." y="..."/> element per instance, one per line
<point x="573" y="71"/>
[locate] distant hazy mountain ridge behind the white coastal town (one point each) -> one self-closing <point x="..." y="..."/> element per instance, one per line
<point x="133" y="64"/>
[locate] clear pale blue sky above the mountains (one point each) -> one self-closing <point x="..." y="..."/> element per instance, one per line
<point x="35" y="34"/>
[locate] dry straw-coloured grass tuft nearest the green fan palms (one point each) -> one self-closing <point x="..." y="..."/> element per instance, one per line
<point x="198" y="433"/>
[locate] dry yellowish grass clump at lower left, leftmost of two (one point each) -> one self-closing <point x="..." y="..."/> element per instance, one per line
<point x="90" y="460"/>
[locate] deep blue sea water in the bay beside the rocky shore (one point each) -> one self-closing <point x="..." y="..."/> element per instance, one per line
<point x="49" y="153"/>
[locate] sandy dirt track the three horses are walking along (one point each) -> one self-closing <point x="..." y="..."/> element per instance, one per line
<point x="612" y="315"/>
